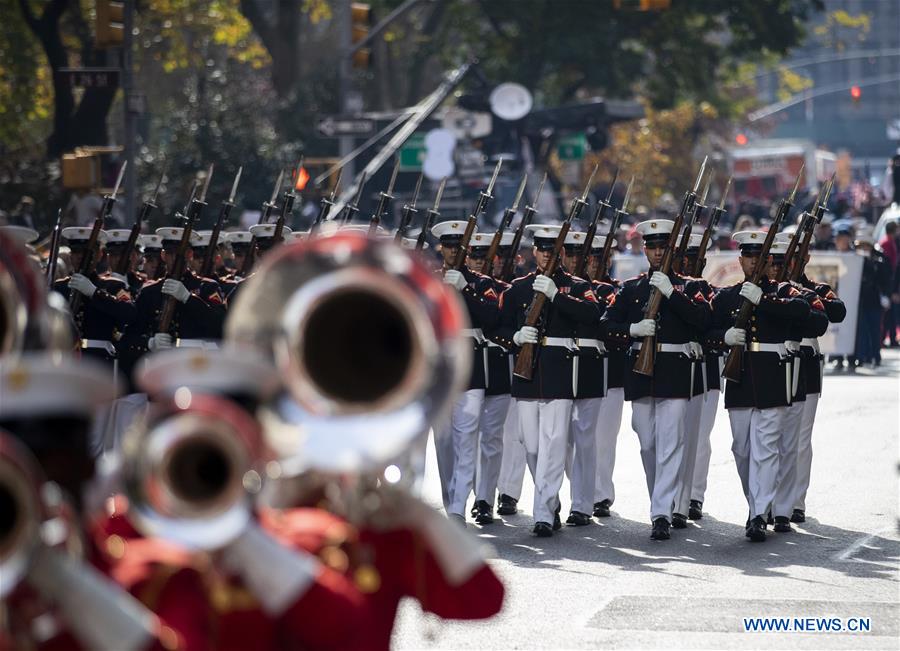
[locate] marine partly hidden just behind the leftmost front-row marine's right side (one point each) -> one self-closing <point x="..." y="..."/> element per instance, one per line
<point x="495" y="408"/>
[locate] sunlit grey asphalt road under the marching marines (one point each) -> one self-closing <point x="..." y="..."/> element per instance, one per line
<point x="609" y="586"/>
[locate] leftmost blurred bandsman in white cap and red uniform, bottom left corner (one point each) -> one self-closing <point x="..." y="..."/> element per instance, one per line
<point x="154" y="599"/>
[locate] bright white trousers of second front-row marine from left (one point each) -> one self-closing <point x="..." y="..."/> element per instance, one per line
<point x="545" y="429"/>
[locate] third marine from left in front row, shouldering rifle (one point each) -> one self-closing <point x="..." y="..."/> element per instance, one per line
<point x="659" y="402"/>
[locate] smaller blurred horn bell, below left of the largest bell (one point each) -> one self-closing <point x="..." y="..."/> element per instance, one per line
<point x="190" y="472"/>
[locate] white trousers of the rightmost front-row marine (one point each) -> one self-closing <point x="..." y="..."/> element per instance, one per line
<point x="755" y="449"/>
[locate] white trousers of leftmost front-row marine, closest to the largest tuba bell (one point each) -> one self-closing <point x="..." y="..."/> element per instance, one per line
<point x="455" y="445"/>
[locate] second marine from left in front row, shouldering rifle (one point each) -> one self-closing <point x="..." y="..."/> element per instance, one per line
<point x="544" y="403"/>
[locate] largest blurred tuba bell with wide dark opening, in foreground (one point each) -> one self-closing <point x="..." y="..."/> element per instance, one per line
<point x="368" y="344"/>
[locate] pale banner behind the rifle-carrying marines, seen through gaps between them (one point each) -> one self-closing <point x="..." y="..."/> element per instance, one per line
<point x="843" y="271"/>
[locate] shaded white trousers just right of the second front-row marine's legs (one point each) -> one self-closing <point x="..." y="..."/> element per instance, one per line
<point x="581" y="453"/>
